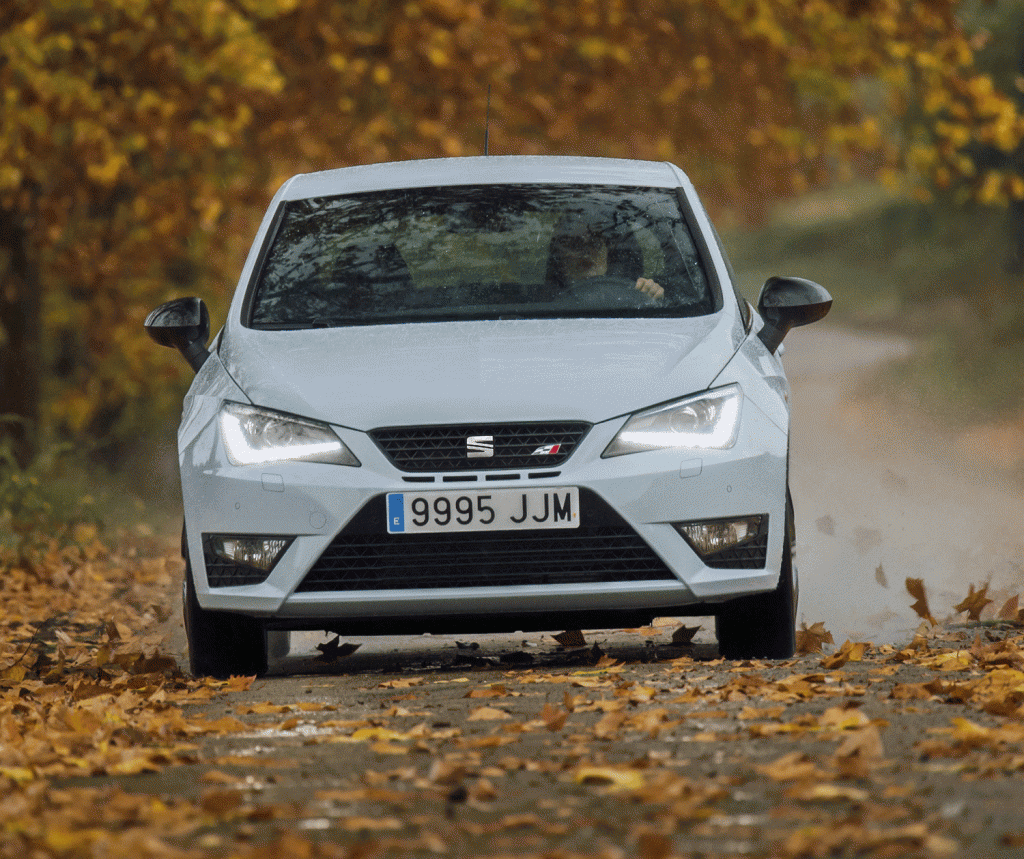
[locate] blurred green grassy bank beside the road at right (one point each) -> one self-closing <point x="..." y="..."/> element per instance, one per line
<point x="937" y="274"/>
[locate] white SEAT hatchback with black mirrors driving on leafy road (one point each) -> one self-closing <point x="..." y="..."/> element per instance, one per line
<point x="487" y="395"/>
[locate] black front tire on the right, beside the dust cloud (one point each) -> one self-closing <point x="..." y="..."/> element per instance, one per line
<point x="763" y="626"/>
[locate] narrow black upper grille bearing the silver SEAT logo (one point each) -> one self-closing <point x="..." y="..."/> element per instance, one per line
<point x="448" y="448"/>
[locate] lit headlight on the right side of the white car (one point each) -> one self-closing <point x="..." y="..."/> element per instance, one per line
<point x="708" y="421"/>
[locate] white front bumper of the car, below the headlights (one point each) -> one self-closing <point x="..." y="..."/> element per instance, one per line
<point x="324" y="507"/>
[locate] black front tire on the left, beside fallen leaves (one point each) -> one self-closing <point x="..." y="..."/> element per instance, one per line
<point x="222" y="645"/>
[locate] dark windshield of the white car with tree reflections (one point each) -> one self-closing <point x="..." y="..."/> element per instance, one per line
<point x="481" y="252"/>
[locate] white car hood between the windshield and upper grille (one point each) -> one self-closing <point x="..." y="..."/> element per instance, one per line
<point x="470" y="372"/>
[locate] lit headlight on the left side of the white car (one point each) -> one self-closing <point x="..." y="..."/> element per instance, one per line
<point x="255" y="437"/>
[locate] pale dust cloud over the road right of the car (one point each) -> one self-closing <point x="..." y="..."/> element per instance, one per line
<point x="882" y="497"/>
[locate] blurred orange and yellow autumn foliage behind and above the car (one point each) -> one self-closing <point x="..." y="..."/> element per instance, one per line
<point x="139" y="134"/>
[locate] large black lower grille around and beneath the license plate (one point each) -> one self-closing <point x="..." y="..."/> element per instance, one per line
<point x="605" y="548"/>
